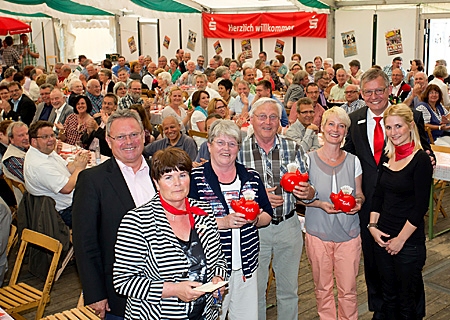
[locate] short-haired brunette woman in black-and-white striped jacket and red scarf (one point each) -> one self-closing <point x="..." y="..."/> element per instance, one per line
<point x="168" y="247"/>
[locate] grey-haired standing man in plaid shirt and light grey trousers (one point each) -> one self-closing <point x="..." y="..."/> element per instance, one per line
<point x="281" y="241"/>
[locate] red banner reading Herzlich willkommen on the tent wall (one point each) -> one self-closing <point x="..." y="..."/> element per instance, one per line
<point x="264" y="25"/>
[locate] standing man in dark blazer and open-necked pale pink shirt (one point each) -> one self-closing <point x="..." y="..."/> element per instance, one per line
<point x="102" y="197"/>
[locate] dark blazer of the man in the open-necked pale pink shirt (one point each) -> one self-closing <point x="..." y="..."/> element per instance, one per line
<point x="100" y="201"/>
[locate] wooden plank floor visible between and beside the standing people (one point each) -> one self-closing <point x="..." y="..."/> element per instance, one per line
<point x="66" y="290"/>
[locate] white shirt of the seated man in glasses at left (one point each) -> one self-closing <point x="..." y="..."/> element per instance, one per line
<point x="46" y="175"/>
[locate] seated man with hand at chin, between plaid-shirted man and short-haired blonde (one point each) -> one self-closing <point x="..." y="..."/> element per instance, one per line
<point x="303" y="131"/>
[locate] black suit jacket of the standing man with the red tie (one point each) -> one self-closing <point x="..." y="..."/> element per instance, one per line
<point x="357" y="143"/>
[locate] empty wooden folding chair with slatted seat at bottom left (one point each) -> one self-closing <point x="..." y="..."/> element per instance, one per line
<point x="18" y="297"/>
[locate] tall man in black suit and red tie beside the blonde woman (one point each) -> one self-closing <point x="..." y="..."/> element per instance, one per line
<point x="359" y="141"/>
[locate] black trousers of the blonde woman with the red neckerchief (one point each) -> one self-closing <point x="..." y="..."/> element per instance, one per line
<point x="402" y="282"/>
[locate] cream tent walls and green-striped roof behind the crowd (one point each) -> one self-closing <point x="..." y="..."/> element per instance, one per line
<point x="67" y="28"/>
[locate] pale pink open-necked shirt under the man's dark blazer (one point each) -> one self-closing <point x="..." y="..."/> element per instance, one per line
<point x="139" y="183"/>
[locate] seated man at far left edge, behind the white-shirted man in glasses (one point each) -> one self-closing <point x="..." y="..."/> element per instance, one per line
<point x="12" y="160"/>
